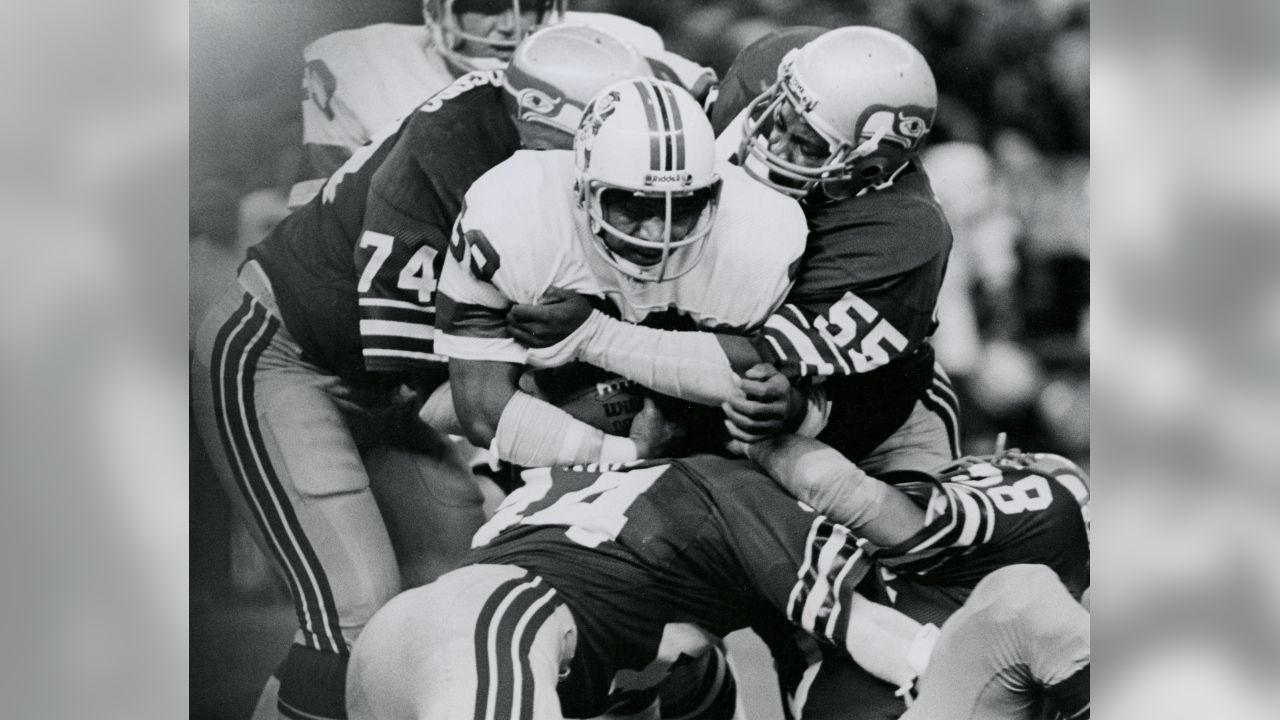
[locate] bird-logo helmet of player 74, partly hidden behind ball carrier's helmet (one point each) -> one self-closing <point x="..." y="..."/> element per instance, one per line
<point x="556" y="72"/>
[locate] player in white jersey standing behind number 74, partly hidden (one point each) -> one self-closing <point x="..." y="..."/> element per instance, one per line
<point x="358" y="81"/>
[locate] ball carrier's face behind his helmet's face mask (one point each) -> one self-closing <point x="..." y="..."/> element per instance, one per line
<point x="646" y="218"/>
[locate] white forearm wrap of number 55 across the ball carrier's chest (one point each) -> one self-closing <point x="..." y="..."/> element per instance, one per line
<point x="689" y="366"/>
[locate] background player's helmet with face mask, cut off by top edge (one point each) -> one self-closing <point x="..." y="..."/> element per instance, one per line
<point x="452" y="39"/>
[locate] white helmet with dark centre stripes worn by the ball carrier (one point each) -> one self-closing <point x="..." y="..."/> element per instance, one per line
<point x="646" y="147"/>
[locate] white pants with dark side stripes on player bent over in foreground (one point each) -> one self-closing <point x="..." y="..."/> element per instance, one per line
<point x="484" y="642"/>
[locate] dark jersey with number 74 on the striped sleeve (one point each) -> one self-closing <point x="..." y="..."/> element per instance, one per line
<point x="355" y="271"/>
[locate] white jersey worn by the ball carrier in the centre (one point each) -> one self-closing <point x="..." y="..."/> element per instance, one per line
<point x="523" y="234"/>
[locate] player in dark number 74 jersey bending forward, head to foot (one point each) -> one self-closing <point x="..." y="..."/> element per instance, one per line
<point x="300" y="370"/>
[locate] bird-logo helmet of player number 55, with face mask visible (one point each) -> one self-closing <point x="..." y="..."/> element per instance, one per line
<point x="866" y="92"/>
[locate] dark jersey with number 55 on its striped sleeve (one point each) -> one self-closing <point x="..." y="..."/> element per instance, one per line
<point x="863" y="308"/>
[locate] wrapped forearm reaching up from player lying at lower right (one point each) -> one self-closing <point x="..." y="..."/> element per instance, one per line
<point x="825" y="480"/>
